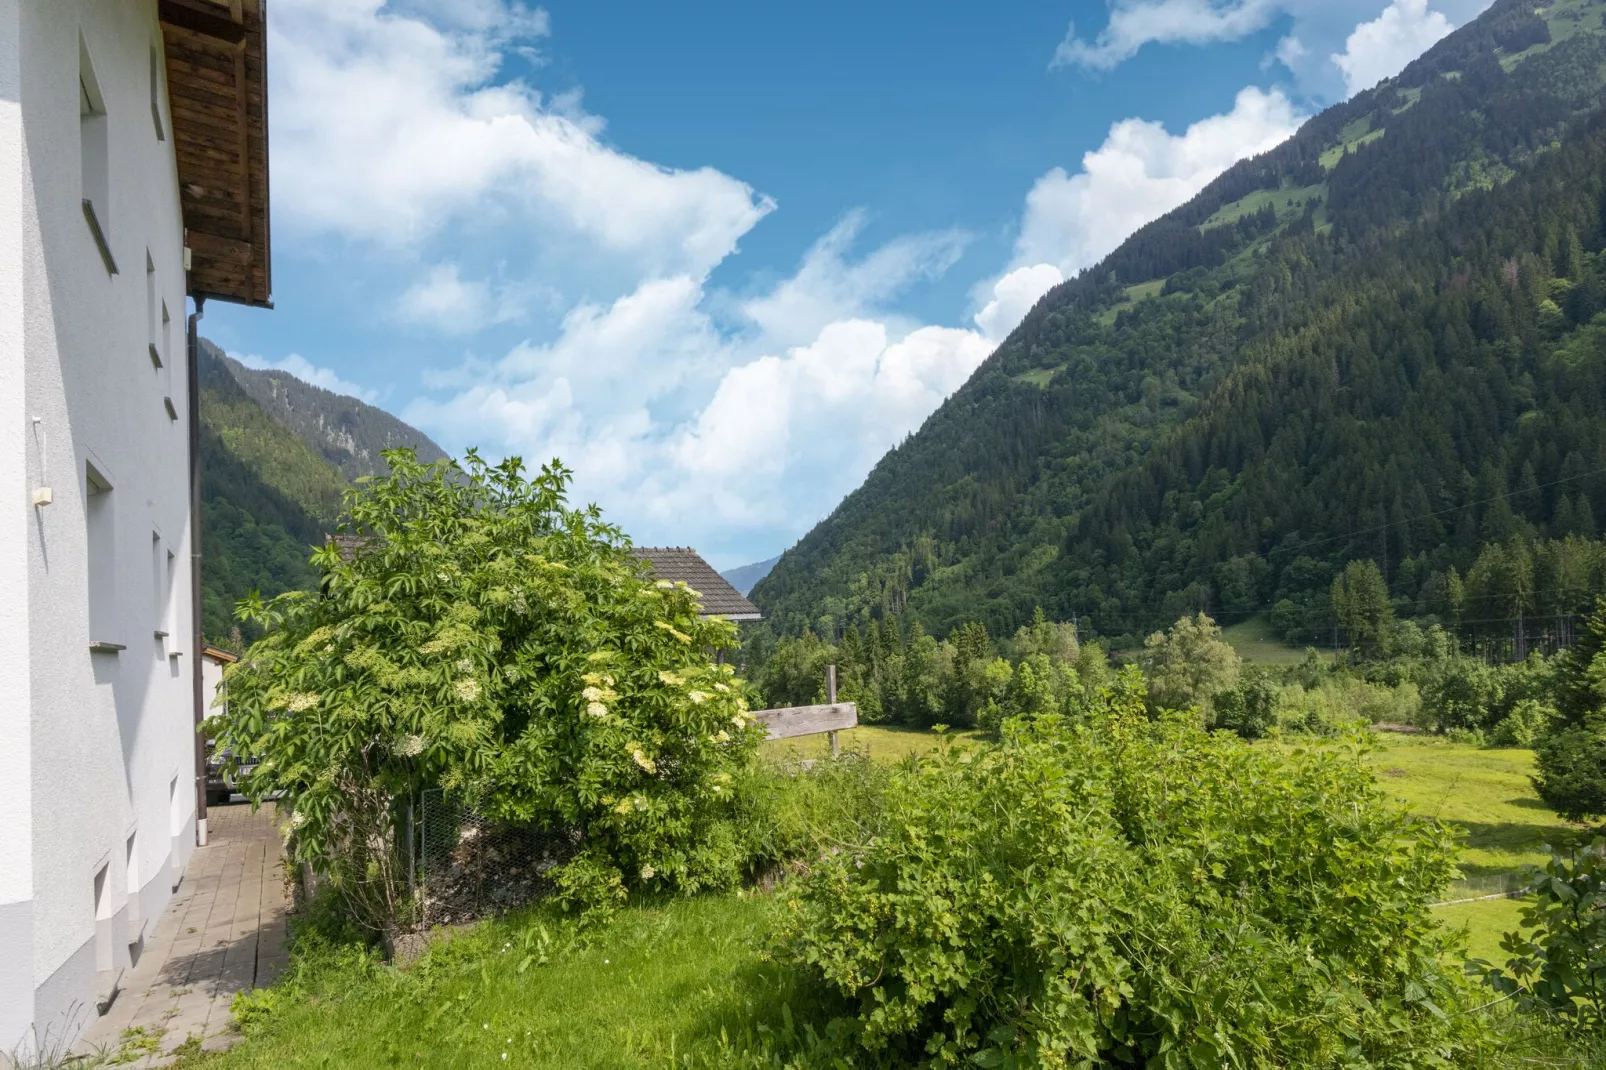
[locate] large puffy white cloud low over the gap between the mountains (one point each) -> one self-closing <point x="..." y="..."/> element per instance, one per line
<point x="687" y="427"/>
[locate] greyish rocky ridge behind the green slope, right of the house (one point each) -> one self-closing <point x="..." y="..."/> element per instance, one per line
<point x="348" y="433"/>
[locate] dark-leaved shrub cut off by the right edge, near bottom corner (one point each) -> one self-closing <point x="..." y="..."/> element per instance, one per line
<point x="1559" y="966"/>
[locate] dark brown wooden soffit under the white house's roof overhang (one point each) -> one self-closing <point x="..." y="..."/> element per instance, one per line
<point x="218" y="92"/>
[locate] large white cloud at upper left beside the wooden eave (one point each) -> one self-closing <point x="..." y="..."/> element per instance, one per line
<point x="389" y="126"/>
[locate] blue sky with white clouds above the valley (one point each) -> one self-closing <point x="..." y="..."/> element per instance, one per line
<point x="719" y="258"/>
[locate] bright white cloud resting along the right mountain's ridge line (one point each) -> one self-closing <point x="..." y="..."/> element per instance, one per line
<point x="1139" y="174"/>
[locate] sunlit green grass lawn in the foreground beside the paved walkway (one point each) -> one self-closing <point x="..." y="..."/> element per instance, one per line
<point x="656" y="989"/>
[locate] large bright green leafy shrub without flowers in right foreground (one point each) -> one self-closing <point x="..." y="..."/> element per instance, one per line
<point x="1133" y="892"/>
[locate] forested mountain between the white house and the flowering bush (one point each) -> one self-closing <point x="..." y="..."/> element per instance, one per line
<point x="267" y="492"/>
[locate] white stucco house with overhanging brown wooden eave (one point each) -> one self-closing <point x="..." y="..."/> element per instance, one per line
<point x="99" y="639"/>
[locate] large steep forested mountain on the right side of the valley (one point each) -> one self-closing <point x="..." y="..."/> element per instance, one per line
<point x="1384" y="340"/>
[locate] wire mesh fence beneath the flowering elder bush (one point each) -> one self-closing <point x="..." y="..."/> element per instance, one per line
<point x="470" y="867"/>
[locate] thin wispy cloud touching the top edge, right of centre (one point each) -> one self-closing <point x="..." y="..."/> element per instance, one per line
<point x="1138" y="23"/>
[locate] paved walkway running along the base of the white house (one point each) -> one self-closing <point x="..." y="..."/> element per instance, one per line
<point x="224" y="931"/>
